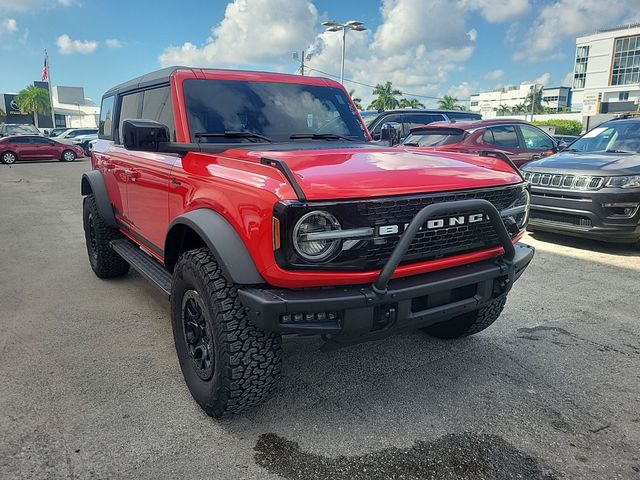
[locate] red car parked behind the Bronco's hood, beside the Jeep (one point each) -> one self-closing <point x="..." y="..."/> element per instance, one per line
<point x="517" y="139"/>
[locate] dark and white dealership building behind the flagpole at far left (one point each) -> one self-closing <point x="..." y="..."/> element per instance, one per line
<point x="70" y="107"/>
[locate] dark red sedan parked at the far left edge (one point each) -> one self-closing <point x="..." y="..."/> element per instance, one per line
<point x="36" y="147"/>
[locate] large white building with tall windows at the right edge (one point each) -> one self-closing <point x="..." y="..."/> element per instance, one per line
<point x="606" y="76"/>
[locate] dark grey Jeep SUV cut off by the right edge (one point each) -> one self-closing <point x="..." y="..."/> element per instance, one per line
<point x="592" y="188"/>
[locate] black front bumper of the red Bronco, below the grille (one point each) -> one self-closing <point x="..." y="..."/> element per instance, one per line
<point x="360" y="313"/>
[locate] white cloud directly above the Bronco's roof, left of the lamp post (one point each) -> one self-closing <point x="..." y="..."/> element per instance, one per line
<point x="258" y="32"/>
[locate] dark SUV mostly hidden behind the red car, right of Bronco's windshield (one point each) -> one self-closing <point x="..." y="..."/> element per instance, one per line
<point x="409" y="118"/>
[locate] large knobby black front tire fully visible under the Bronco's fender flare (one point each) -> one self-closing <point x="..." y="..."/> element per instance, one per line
<point x="246" y="363"/>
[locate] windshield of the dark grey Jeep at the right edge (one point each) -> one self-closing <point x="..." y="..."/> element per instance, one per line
<point x="623" y="136"/>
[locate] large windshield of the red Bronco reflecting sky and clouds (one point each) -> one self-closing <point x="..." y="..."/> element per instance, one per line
<point x="274" y="110"/>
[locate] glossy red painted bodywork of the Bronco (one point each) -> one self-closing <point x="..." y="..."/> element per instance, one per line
<point x="150" y="190"/>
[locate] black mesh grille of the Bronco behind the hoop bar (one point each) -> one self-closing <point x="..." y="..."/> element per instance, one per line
<point x="433" y="244"/>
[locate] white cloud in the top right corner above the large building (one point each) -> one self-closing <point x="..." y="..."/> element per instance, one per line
<point x="567" y="19"/>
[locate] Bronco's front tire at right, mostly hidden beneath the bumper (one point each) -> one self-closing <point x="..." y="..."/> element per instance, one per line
<point x="468" y="323"/>
